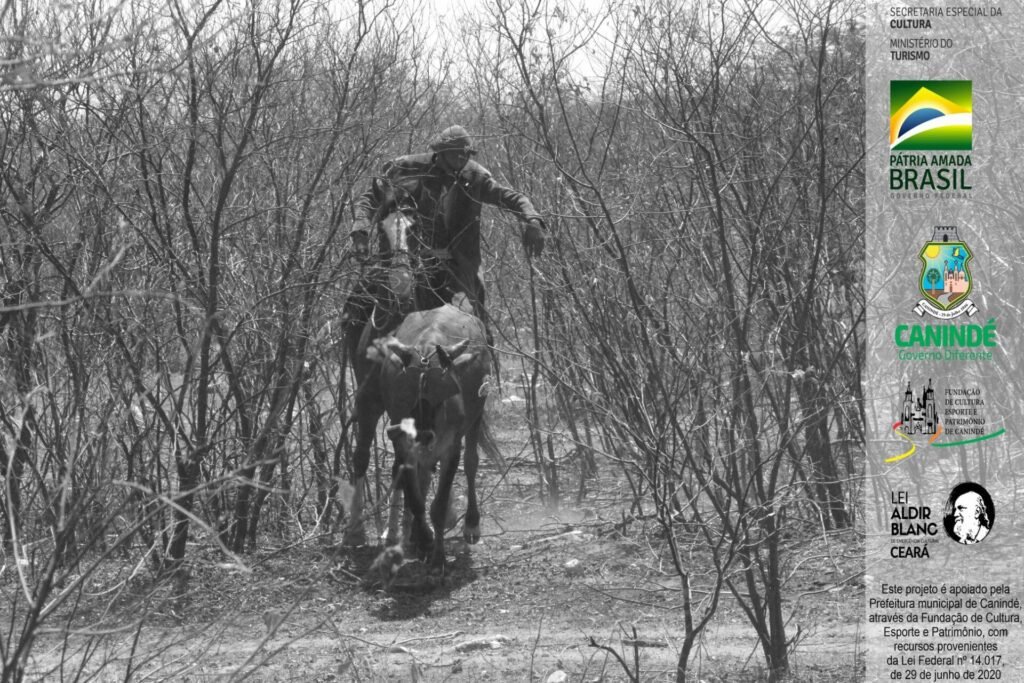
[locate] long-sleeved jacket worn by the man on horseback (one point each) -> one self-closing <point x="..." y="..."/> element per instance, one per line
<point x="449" y="205"/>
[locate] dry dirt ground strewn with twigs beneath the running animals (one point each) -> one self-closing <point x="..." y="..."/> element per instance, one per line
<point x="567" y="594"/>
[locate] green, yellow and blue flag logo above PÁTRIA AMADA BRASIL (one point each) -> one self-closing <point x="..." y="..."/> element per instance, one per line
<point x="930" y="115"/>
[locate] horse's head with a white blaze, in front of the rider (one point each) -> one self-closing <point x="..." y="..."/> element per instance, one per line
<point x="395" y="221"/>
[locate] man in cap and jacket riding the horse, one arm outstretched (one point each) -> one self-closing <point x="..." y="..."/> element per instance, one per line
<point x="447" y="191"/>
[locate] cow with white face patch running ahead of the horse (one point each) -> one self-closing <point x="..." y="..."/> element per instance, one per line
<point x="431" y="376"/>
